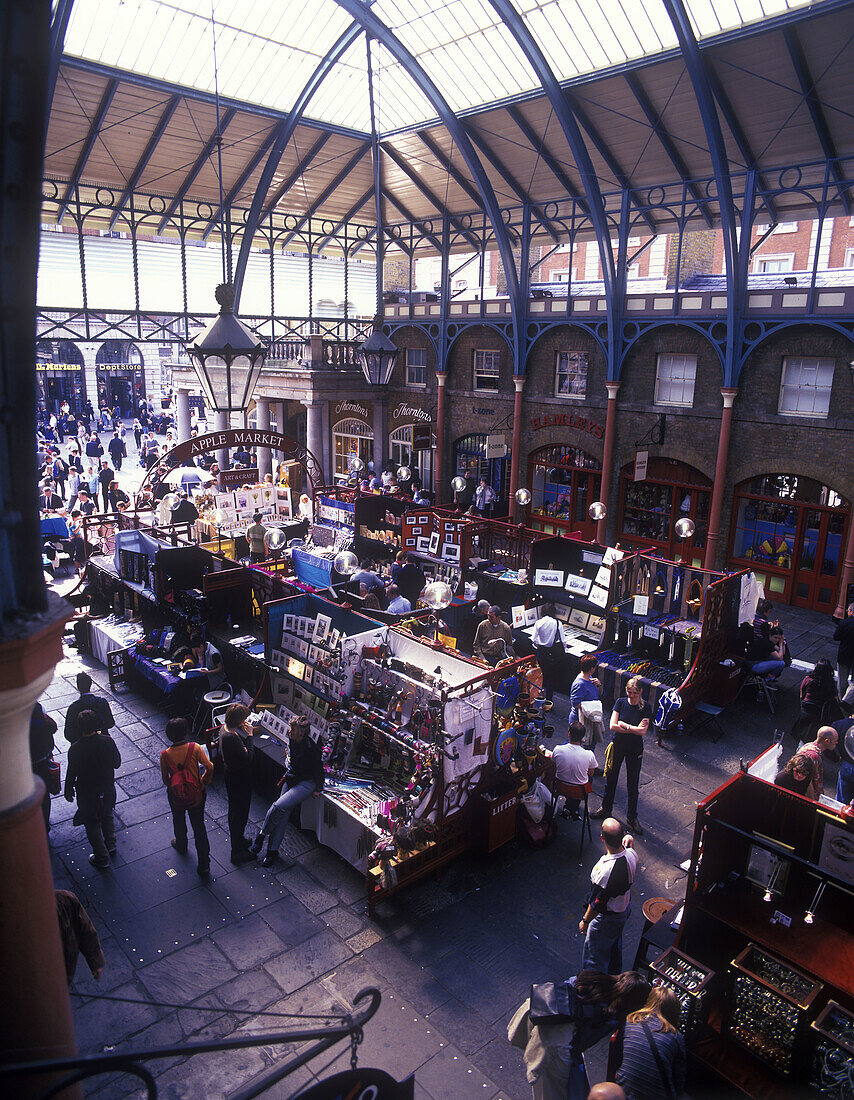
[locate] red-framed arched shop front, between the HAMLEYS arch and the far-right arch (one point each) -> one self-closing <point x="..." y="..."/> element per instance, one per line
<point x="650" y="510"/>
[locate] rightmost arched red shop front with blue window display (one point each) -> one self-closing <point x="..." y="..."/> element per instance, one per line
<point x="792" y="532"/>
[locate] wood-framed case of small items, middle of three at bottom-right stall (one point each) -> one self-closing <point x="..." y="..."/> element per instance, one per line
<point x="770" y="1006"/>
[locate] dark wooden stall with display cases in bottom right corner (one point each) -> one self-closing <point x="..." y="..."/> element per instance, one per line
<point x="764" y="960"/>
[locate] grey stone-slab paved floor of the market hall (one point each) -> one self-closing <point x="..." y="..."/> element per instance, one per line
<point x="453" y="959"/>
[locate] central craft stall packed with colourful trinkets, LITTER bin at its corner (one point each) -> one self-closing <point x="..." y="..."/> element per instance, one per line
<point x="408" y="735"/>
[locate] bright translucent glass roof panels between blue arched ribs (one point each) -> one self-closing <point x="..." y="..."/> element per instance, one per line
<point x="267" y="50"/>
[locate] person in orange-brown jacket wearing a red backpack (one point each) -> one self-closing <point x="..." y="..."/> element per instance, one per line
<point x="187" y="773"/>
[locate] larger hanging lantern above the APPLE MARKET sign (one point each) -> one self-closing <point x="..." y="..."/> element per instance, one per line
<point x="228" y="359"/>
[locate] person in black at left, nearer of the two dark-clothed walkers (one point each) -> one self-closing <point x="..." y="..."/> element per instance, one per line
<point x="92" y="776"/>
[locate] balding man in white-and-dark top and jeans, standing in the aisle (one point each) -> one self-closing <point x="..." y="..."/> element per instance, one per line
<point x="610" y="901"/>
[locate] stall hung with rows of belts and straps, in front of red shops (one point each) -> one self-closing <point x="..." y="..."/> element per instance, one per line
<point x="672" y="625"/>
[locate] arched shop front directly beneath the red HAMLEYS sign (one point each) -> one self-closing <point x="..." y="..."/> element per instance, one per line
<point x="564" y="482"/>
